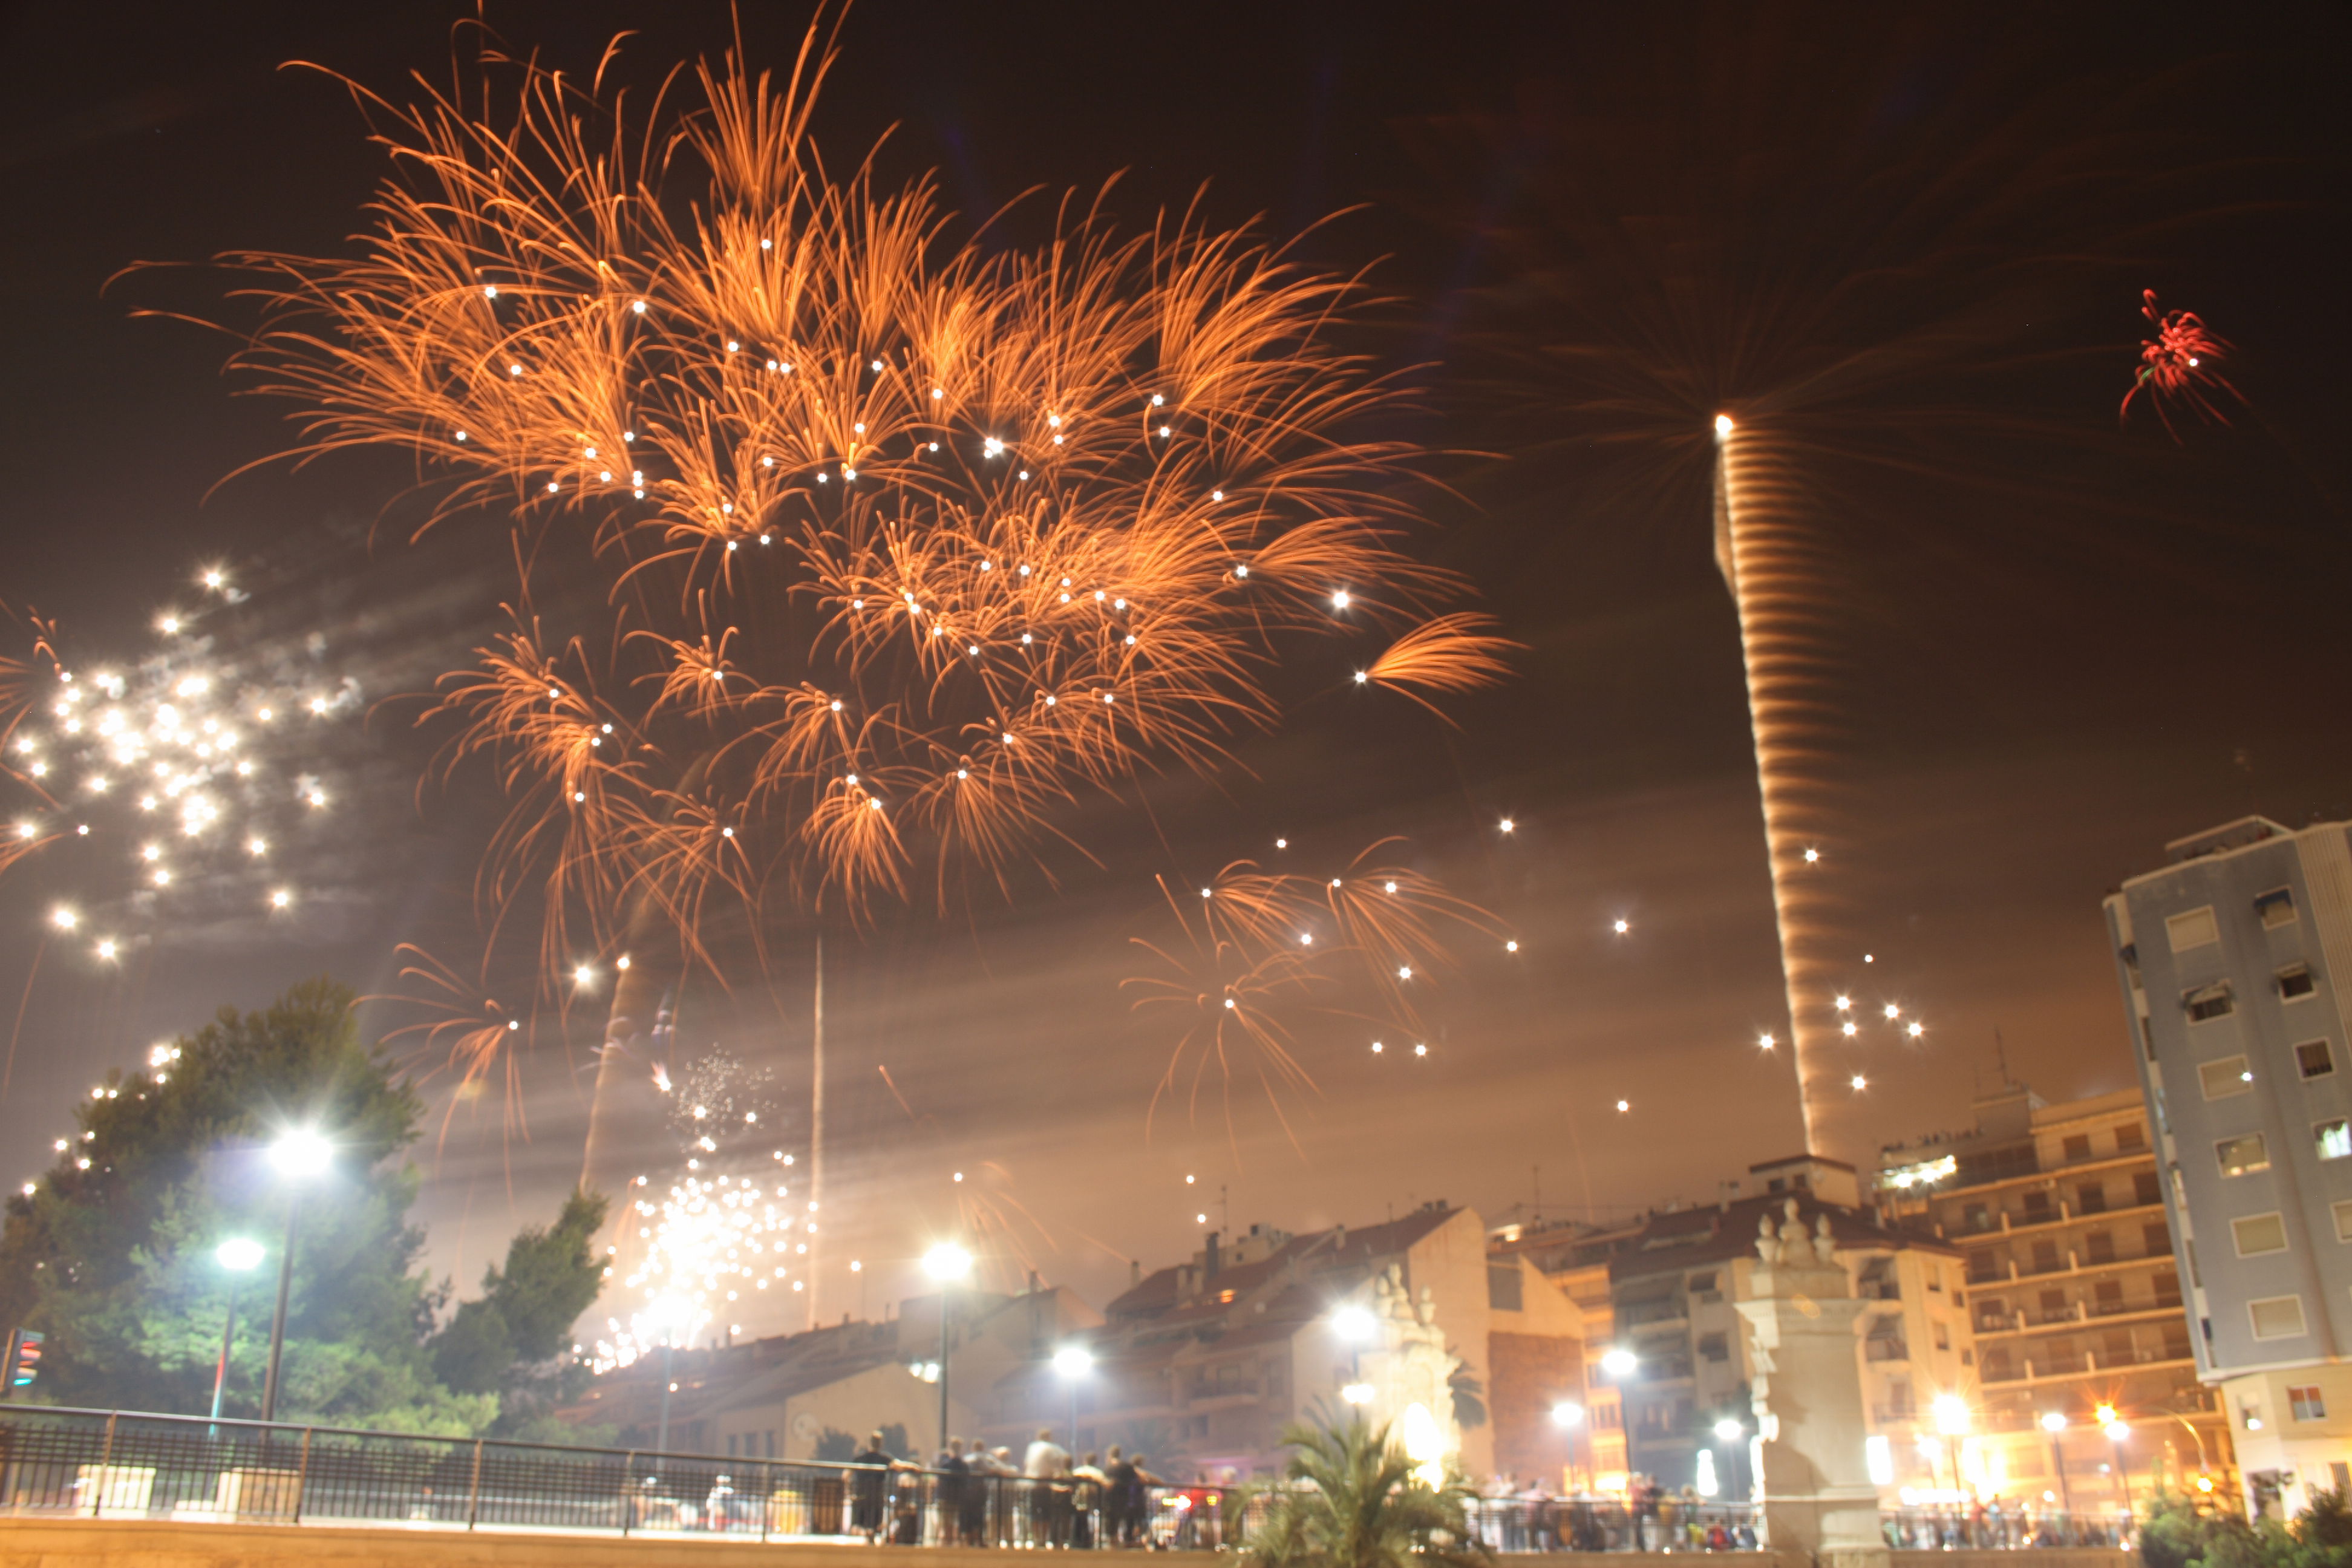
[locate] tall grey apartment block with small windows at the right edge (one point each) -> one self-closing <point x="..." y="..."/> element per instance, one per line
<point x="2233" y="963"/>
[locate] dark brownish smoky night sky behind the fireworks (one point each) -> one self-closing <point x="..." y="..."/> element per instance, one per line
<point x="2064" y="643"/>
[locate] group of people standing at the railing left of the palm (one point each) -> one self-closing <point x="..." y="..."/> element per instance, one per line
<point x="977" y="1496"/>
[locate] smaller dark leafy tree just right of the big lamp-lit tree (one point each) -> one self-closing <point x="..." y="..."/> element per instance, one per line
<point x="516" y="1339"/>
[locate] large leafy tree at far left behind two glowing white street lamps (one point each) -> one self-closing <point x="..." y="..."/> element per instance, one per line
<point x="114" y="1249"/>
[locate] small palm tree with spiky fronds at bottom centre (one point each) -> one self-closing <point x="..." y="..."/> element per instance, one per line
<point x="1354" y="1501"/>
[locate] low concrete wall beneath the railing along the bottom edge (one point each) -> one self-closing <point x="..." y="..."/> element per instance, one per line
<point x="109" y="1543"/>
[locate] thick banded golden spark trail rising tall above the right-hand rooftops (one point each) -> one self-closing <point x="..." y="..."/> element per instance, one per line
<point x="1777" y="572"/>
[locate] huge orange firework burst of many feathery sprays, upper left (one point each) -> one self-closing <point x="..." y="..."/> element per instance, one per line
<point x="846" y="554"/>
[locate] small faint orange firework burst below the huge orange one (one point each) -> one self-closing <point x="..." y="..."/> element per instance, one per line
<point x="1257" y="942"/>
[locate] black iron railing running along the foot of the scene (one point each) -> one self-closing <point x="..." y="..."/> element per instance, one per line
<point x="192" y="1470"/>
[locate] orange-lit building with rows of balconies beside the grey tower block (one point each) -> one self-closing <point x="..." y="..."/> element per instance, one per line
<point x="2073" y="1299"/>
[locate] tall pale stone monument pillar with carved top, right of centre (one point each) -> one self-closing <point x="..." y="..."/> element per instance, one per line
<point x="1810" y="1454"/>
